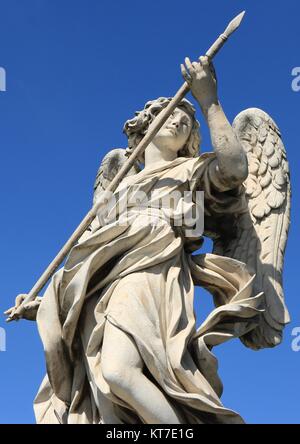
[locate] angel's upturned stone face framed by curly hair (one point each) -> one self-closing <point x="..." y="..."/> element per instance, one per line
<point x="175" y="132"/>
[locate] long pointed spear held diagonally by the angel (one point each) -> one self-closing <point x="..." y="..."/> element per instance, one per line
<point x="152" y="131"/>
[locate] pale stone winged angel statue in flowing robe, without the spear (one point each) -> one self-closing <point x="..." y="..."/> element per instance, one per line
<point x="117" y="320"/>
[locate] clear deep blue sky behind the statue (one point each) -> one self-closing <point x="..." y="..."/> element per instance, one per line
<point x="76" y="70"/>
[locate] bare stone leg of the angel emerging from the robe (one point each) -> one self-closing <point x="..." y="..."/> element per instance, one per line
<point x="122" y="366"/>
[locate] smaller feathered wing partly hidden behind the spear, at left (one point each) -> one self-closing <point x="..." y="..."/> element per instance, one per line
<point x="109" y="167"/>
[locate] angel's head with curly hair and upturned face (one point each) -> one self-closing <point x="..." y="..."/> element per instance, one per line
<point x="180" y="133"/>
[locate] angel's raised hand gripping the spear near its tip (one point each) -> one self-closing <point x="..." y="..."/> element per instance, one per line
<point x="201" y="79"/>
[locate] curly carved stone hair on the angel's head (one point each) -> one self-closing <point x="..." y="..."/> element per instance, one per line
<point x="136" y="128"/>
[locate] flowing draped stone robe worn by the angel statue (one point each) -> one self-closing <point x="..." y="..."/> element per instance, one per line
<point x="140" y="277"/>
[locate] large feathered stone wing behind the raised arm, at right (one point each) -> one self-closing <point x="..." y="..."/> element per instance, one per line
<point x="262" y="230"/>
